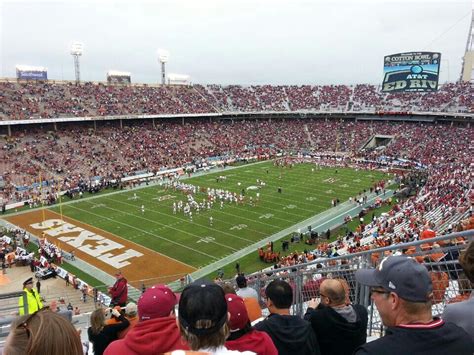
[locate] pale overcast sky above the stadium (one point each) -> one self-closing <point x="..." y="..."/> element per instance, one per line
<point x="232" y="41"/>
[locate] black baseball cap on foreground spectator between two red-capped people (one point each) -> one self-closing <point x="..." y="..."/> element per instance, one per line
<point x="202" y="300"/>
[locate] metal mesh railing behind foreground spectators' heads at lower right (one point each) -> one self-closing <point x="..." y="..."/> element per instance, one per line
<point x="305" y="279"/>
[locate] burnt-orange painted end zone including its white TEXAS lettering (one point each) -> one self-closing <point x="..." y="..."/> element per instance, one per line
<point x="101" y="248"/>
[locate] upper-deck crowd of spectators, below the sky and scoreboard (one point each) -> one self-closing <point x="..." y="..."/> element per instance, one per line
<point x="33" y="100"/>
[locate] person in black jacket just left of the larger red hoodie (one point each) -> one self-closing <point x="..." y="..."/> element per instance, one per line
<point x="102" y="334"/>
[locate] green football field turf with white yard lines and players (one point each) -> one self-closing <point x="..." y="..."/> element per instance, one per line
<point x="305" y="192"/>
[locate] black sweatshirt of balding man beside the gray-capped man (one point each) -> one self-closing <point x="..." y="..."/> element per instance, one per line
<point x="333" y="324"/>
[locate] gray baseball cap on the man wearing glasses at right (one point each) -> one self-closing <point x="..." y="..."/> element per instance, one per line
<point x="401" y="275"/>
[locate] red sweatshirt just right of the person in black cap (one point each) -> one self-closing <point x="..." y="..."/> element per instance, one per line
<point x="256" y="341"/>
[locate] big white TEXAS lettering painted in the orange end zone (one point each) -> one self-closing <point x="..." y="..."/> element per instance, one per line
<point x="101" y="250"/>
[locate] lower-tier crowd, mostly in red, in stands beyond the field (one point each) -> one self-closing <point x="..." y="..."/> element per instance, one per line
<point x="76" y="152"/>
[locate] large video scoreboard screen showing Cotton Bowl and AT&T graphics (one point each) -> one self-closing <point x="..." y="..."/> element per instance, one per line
<point x="412" y="72"/>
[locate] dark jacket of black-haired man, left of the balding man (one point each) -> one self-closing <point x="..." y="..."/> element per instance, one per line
<point x="290" y="334"/>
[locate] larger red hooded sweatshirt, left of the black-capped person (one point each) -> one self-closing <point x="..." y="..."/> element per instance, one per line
<point x="154" y="336"/>
